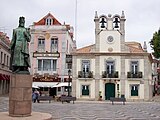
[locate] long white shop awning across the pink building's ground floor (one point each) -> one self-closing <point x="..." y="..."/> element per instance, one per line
<point x="44" y="84"/>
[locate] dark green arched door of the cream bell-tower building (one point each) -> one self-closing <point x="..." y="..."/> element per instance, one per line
<point x="109" y="90"/>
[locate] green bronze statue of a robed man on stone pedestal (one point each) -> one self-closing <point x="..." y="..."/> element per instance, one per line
<point x="19" y="48"/>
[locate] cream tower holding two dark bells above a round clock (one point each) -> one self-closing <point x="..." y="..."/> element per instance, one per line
<point x="109" y="32"/>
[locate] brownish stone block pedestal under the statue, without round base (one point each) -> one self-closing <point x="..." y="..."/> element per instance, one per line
<point x="20" y="95"/>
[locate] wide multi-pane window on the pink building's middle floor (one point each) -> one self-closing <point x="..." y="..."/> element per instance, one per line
<point x="47" y="65"/>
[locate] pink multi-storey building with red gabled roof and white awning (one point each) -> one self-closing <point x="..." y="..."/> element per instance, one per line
<point x="51" y="42"/>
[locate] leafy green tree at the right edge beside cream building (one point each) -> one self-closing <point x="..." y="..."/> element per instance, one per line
<point x="155" y="44"/>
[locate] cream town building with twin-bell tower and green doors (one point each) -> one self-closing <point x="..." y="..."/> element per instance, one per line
<point x="112" y="67"/>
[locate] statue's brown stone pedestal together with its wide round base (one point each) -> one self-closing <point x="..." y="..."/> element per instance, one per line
<point x="20" y="100"/>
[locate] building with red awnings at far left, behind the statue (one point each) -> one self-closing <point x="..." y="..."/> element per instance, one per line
<point x="5" y="72"/>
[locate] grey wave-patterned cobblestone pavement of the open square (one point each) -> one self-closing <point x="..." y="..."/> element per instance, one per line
<point x="95" y="110"/>
